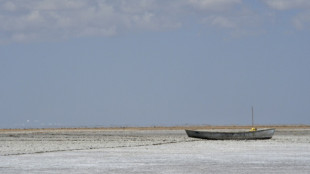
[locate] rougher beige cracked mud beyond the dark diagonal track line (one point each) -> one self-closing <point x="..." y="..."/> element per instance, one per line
<point x="17" y="142"/>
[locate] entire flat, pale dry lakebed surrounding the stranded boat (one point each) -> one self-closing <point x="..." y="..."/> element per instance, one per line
<point x="151" y="150"/>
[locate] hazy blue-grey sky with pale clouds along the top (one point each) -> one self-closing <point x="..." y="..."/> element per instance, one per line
<point x="86" y="63"/>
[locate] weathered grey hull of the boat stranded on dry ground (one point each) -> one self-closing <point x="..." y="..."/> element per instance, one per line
<point x="248" y="135"/>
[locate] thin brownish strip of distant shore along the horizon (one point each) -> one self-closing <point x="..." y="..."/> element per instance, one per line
<point x="163" y="128"/>
